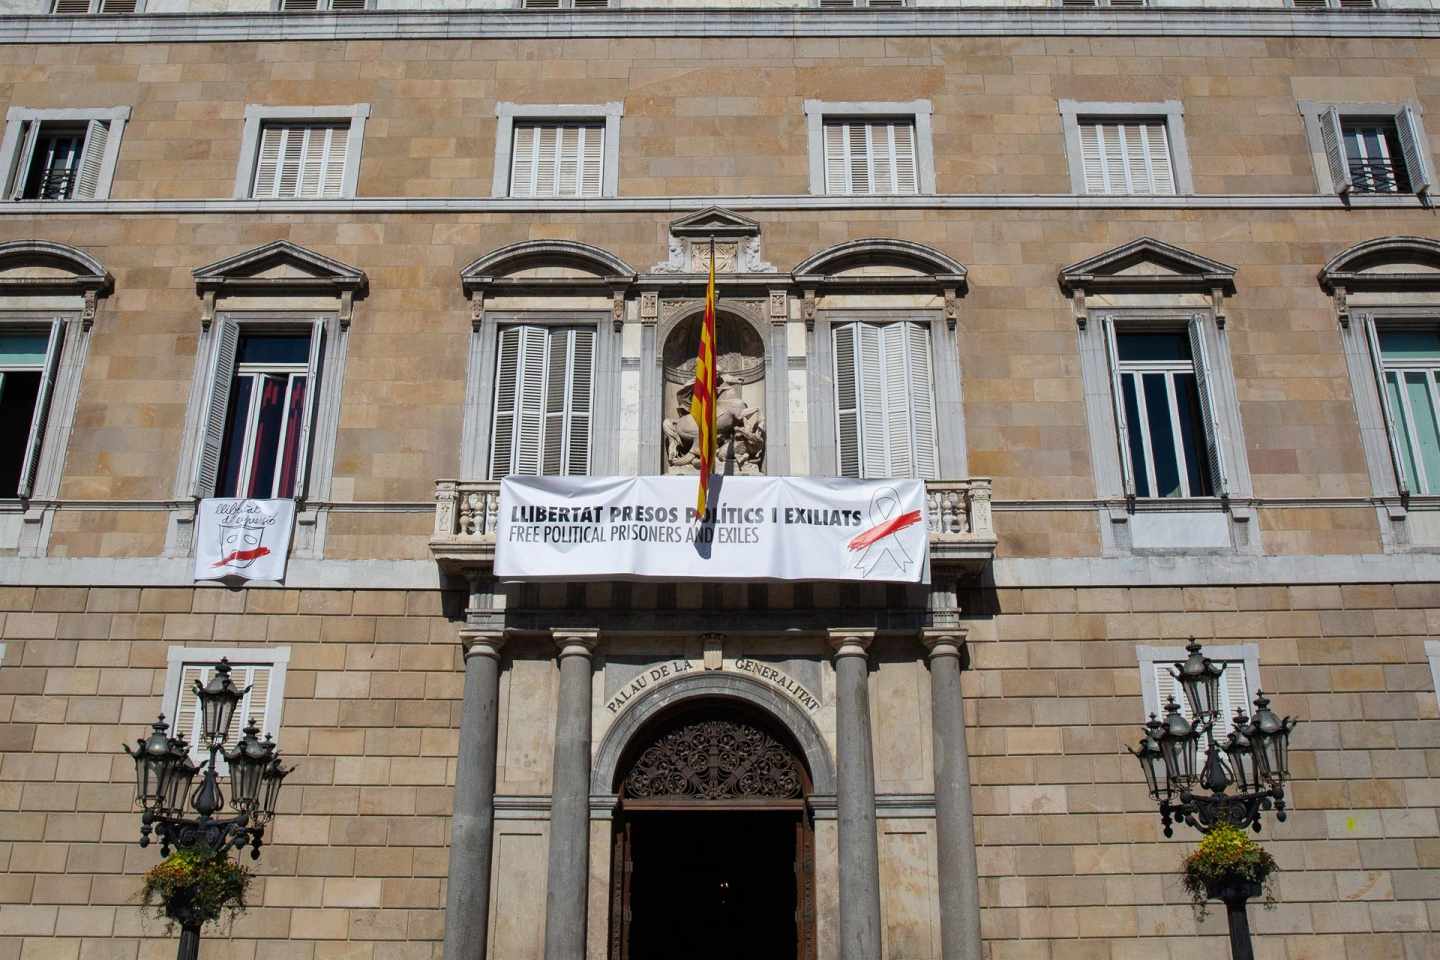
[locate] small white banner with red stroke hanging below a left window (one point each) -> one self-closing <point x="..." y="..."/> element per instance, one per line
<point x="243" y="539"/>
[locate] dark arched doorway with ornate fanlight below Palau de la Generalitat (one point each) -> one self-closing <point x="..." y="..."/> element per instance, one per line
<point x="714" y="847"/>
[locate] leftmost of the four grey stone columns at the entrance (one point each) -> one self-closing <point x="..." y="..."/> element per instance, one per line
<point x="473" y="825"/>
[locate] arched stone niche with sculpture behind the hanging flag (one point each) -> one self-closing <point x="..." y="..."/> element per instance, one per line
<point x="741" y="404"/>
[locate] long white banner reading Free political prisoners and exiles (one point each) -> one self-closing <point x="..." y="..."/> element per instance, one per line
<point x="757" y="529"/>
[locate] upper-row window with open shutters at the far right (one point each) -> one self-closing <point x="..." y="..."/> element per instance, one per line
<point x="1369" y="149"/>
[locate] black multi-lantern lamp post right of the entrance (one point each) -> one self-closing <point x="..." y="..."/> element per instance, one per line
<point x="1233" y="784"/>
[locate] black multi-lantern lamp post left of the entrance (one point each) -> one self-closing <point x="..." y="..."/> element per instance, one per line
<point x="165" y="775"/>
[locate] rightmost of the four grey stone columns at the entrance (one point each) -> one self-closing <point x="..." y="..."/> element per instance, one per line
<point x="954" y="815"/>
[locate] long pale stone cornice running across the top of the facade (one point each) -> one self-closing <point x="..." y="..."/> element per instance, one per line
<point x="930" y="22"/>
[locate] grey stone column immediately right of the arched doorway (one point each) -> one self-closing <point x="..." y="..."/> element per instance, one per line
<point x="856" y="801"/>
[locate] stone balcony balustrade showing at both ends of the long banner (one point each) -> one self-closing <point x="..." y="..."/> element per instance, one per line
<point x="958" y="512"/>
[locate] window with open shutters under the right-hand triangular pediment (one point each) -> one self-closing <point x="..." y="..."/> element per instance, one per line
<point x="1164" y="409"/>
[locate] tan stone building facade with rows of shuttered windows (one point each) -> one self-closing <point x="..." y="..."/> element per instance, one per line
<point x="947" y="764"/>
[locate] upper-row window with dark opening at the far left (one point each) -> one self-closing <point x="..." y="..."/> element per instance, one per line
<point x="61" y="155"/>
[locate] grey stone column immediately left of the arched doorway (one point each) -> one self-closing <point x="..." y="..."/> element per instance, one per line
<point x="565" y="900"/>
